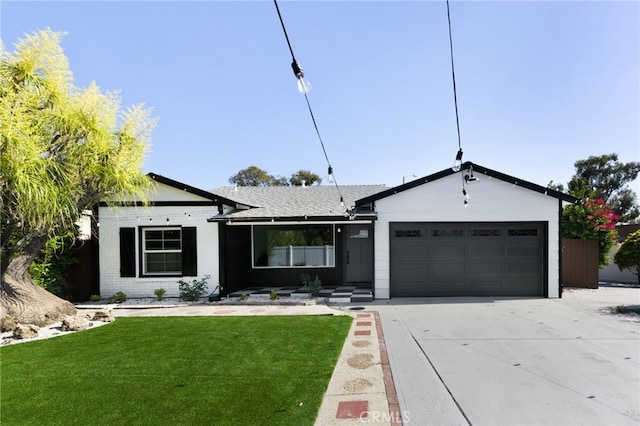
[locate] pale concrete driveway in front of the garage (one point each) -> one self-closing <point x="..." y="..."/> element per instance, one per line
<point x="486" y="361"/>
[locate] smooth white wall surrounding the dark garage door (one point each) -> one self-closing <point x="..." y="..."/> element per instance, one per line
<point x="492" y="200"/>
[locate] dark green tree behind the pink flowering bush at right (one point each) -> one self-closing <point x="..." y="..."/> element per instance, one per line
<point x="605" y="177"/>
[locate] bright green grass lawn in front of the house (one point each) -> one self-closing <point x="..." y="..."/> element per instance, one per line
<point x="175" y="371"/>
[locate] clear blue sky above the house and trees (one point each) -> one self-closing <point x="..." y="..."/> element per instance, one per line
<point x="540" y="84"/>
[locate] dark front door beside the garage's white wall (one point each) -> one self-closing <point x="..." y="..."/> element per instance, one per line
<point x="359" y="254"/>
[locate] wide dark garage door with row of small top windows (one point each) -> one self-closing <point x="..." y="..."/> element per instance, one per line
<point x="467" y="259"/>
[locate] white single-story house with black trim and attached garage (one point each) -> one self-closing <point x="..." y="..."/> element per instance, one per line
<point x="416" y="239"/>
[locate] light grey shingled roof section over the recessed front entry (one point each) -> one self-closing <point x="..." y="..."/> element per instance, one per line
<point x="293" y="202"/>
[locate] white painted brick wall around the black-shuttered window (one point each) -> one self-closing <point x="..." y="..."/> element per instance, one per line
<point x="112" y="219"/>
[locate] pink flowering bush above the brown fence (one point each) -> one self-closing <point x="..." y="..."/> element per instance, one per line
<point x="591" y="220"/>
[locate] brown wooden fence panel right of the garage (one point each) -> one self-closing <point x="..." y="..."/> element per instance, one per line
<point x="580" y="263"/>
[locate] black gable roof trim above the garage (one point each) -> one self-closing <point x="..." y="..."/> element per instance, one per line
<point x="477" y="170"/>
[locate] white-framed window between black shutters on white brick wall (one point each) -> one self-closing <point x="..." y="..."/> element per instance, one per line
<point x="162" y="251"/>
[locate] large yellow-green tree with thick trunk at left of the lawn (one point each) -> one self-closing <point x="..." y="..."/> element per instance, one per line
<point x="63" y="150"/>
